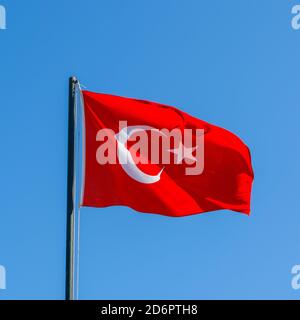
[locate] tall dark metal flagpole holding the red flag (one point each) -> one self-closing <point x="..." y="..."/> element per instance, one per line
<point x="69" y="295"/>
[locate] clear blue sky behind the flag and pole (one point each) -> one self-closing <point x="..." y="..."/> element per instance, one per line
<point x="232" y="63"/>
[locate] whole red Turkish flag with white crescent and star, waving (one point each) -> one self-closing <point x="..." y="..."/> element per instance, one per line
<point x="126" y="162"/>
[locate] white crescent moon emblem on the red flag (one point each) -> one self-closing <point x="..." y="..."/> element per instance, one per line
<point x="125" y="157"/>
